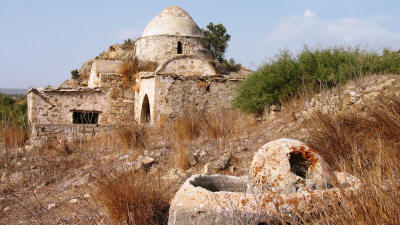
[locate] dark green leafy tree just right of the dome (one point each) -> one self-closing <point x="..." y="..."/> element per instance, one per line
<point x="218" y="38"/>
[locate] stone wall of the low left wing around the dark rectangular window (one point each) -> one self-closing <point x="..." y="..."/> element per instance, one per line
<point x="114" y="101"/>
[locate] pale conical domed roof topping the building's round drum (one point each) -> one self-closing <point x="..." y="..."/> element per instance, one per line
<point x="173" y="21"/>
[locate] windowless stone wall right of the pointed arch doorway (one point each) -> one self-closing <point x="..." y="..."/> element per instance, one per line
<point x="174" y="95"/>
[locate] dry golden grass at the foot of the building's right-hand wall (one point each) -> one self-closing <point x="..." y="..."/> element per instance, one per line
<point x="217" y="125"/>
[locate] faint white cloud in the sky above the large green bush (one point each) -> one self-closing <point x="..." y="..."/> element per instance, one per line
<point x="295" y="31"/>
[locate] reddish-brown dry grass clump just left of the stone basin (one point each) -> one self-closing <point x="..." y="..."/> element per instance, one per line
<point x="133" y="198"/>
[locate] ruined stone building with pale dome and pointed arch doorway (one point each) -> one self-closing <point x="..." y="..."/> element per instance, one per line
<point x="176" y="71"/>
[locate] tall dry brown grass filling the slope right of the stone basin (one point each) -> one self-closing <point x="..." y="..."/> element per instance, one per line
<point x="366" y="146"/>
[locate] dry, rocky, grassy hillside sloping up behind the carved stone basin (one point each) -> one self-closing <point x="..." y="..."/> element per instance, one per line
<point x="67" y="181"/>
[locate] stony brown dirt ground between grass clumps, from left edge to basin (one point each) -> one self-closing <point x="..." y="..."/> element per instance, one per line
<point x="57" y="188"/>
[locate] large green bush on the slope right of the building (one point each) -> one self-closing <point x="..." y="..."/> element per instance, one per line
<point x="287" y="76"/>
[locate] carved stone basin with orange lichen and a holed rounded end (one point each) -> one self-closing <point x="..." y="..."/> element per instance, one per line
<point x="222" y="199"/>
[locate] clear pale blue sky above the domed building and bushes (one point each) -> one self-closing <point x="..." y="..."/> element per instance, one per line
<point x="42" y="41"/>
